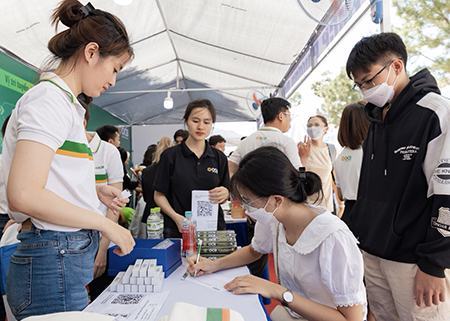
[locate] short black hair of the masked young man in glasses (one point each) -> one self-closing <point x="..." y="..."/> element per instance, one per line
<point x="375" y="49"/>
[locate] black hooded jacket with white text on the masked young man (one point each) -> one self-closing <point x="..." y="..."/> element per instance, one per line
<point x="402" y="212"/>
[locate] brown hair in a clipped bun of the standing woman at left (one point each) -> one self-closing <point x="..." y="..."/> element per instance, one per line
<point x="87" y="24"/>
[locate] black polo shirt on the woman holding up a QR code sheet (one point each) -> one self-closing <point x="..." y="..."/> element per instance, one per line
<point x="180" y="172"/>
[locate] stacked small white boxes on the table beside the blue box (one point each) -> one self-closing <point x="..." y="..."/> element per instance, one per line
<point x="142" y="277"/>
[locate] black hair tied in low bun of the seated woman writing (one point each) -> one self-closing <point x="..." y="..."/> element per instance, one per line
<point x="267" y="171"/>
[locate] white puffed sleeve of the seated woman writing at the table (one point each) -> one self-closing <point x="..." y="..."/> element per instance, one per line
<point x="342" y="269"/>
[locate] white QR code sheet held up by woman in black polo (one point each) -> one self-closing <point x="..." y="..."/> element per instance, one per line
<point x="204" y="212"/>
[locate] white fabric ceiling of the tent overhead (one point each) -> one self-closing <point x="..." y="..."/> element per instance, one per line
<point x="215" y="44"/>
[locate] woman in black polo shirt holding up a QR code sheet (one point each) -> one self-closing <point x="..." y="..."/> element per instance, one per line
<point x="192" y="165"/>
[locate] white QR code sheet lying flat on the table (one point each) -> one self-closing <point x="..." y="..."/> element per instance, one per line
<point x="129" y="306"/>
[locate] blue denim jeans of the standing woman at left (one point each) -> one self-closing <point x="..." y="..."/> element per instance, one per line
<point x="49" y="271"/>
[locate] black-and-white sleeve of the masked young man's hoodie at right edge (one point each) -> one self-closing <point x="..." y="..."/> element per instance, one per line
<point x="434" y="251"/>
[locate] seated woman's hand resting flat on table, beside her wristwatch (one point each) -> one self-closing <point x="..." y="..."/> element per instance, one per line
<point x="254" y="285"/>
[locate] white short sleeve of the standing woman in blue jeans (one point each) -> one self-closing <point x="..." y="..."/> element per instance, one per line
<point x="44" y="117"/>
